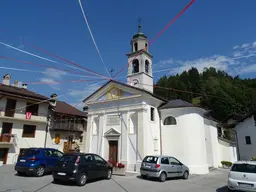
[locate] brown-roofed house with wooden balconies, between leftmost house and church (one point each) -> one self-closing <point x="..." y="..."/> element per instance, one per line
<point x="67" y="127"/>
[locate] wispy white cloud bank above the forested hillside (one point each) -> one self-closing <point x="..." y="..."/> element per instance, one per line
<point x="241" y="60"/>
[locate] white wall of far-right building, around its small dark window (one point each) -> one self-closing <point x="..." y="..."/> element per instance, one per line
<point x="243" y="129"/>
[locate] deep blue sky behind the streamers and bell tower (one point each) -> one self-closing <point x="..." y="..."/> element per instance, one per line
<point x="216" y="33"/>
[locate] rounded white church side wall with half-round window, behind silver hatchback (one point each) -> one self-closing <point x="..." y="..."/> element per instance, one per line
<point x="186" y="140"/>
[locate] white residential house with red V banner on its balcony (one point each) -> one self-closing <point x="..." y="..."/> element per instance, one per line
<point x="23" y="119"/>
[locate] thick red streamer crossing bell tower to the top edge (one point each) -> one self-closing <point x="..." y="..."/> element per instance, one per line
<point x="159" y="34"/>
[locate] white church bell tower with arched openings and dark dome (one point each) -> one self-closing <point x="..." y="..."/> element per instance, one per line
<point x="140" y="68"/>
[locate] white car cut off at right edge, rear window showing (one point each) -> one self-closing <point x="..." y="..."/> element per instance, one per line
<point x="242" y="176"/>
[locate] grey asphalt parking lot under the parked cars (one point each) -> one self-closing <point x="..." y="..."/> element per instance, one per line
<point x="212" y="182"/>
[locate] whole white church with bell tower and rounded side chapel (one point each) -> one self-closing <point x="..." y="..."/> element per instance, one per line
<point x="127" y="121"/>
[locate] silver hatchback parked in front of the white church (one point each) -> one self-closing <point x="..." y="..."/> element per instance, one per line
<point x="163" y="167"/>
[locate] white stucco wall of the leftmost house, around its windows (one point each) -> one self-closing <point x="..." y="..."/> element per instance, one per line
<point x="18" y="121"/>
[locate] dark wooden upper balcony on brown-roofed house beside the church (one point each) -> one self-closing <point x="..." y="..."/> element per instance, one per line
<point x="68" y="126"/>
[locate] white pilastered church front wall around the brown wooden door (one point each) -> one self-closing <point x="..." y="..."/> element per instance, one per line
<point x="132" y="146"/>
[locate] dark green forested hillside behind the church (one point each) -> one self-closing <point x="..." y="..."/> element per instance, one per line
<point x="220" y="92"/>
